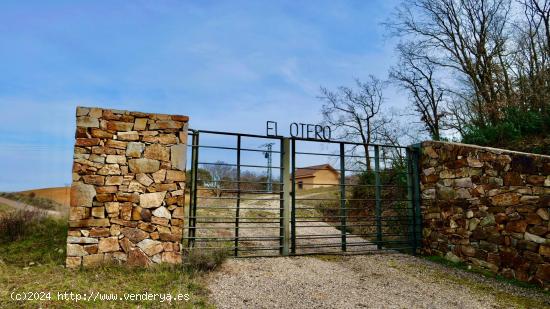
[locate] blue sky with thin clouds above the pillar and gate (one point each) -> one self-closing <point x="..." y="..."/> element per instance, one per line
<point x="229" y="65"/>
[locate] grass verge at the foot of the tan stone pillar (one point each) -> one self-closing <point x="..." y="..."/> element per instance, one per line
<point x="34" y="263"/>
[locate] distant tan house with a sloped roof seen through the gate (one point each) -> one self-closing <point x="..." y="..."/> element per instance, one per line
<point x="316" y="176"/>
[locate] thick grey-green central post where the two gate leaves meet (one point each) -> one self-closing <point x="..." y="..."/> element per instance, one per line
<point x="286" y="194"/>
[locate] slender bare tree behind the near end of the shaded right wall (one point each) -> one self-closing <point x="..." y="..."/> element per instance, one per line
<point x="415" y="73"/>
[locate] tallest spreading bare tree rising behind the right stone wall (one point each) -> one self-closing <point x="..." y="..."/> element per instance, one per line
<point x="469" y="37"/>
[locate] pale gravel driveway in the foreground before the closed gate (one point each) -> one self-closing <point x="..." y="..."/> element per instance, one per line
<point x="369" y="281"/>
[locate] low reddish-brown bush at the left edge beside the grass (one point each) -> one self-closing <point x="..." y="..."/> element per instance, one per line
<point x="15" y="224"/>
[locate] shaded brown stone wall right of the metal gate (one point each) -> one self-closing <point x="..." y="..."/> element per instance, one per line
<point x="488" y="207"/>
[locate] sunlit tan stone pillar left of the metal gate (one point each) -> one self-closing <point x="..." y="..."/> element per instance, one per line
<point x="127" y="194"/>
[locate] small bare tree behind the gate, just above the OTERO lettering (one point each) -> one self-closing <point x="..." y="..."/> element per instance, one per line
<point x="356" y="114"/>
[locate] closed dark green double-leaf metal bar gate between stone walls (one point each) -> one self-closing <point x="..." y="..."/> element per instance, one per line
<point x="253" y="195"/>
